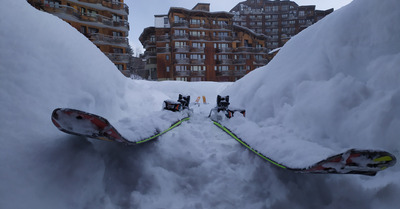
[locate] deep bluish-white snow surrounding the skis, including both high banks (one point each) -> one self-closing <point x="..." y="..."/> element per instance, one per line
<point x="334" y="86"/>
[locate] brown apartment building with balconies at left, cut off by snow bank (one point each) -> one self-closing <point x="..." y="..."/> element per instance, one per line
<point x="104" y="22"/>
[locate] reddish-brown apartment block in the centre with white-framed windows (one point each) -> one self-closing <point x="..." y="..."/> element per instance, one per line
<point x="199" y="45"/>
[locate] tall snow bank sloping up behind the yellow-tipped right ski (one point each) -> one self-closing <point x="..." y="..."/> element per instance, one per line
<point x="336" y="83"/>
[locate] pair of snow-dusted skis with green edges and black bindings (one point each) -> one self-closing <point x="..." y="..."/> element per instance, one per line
<point x="353" y="161"/>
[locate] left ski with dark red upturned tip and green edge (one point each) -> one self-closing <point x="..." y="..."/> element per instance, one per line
<point x="80" y="123"/>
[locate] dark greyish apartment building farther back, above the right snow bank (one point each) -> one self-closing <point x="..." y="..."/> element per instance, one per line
<point x="279" y="20"/>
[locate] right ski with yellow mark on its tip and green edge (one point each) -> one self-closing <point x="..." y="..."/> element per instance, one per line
<point x="353" y="161"/>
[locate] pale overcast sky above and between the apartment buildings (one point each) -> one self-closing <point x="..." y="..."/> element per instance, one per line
<point x="141" y="12"/>
